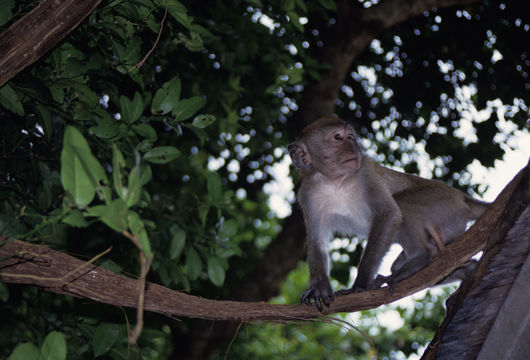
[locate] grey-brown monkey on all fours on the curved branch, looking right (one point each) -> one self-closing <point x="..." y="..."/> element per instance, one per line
<point x="344" y="192"/>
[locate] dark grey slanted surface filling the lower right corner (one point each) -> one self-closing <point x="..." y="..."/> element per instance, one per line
<point x="466" y="325"/>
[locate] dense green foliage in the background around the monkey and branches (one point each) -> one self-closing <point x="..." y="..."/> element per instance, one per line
<point x="177" y="151"/>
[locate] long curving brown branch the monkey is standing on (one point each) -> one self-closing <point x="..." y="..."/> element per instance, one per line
<point x="61" y="273"/>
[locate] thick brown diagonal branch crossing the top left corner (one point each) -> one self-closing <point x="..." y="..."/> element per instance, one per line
<point x="40" y="30"/>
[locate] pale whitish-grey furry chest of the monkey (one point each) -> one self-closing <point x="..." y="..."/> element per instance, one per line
<point x="344" y="211"/>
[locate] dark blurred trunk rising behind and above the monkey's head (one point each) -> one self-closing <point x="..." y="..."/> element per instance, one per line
<point x="354" y="29"/>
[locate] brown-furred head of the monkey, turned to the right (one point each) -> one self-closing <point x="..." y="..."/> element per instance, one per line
<point x="328" y="146"/>
